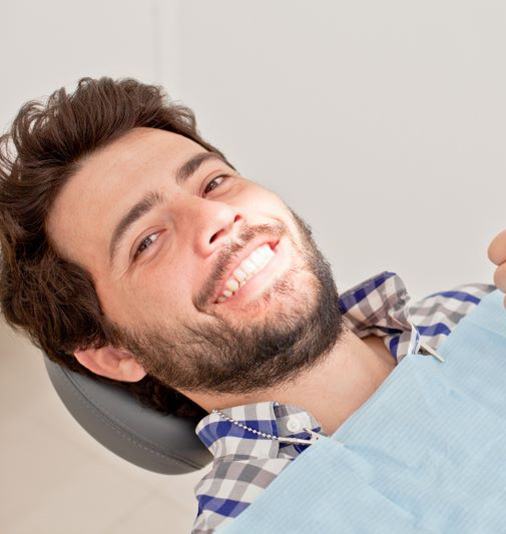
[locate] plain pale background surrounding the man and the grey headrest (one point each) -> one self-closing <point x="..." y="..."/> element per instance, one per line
<point x="383" y="124"/>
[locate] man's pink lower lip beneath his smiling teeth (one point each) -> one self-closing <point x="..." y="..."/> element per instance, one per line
<point x="263" y="279"/>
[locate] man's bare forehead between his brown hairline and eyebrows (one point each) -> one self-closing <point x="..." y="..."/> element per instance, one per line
<point x="107" y="183"/>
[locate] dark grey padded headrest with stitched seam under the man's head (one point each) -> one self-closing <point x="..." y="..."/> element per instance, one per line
<point x="161" y="443"/>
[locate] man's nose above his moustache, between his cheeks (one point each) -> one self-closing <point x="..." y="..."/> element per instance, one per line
<point x="214" y="223"/>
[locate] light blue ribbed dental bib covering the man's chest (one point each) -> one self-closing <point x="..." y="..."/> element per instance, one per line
<point x="425" y="453"/>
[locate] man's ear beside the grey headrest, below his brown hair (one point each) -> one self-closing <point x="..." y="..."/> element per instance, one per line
<point x="111" y="362"/>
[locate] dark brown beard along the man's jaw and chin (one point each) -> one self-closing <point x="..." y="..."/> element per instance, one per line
<point x="217" y="357"/>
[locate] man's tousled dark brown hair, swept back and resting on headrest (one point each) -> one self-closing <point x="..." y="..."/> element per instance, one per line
<point x="50" y="299"/>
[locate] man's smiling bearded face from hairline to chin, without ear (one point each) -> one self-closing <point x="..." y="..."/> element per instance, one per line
<point x="161" y="234"/>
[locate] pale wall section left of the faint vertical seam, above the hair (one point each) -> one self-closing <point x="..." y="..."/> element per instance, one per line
<point x="52" y="43"/>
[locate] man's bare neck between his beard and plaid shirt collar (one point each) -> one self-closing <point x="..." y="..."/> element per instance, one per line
<point x="331" y="390"/>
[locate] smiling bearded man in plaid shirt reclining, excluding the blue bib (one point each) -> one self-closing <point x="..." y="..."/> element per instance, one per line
<point x="133" y="250"/>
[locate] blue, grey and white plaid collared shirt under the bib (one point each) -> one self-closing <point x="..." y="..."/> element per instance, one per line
<point x="244" y="463"/>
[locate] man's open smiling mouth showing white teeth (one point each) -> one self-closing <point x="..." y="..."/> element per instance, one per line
<point x="252" y="274"/>
